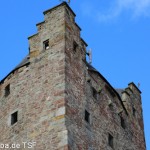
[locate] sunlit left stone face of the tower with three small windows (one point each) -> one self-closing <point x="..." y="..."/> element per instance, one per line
<point x="37" y="91"/>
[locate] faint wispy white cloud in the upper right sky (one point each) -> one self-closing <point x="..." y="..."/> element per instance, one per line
<point x="134" y="8"/>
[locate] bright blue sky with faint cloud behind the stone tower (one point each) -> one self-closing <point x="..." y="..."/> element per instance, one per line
<point x="118" y="31"/>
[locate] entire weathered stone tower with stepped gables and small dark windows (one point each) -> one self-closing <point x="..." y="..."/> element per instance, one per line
<point x="55" y="100"/>
